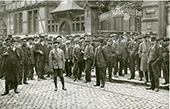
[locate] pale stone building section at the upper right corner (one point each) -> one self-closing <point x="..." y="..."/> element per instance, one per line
<point x="156" y="17"/>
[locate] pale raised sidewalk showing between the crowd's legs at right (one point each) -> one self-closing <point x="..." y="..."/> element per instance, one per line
<point x="124" y="79"/>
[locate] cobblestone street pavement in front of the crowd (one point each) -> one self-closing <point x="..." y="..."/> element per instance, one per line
<point x="41" y="95"/>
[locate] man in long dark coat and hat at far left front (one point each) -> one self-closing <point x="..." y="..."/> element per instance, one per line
<point x="11" y="66"/>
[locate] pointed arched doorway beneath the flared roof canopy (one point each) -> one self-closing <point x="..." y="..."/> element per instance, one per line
<point x="64" y="28"/>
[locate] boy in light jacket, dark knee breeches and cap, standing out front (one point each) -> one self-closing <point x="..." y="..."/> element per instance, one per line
<point x="57" y="63"/>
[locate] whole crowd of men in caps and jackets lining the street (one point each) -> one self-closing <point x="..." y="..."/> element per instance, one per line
<point x="115" y="54"/>
